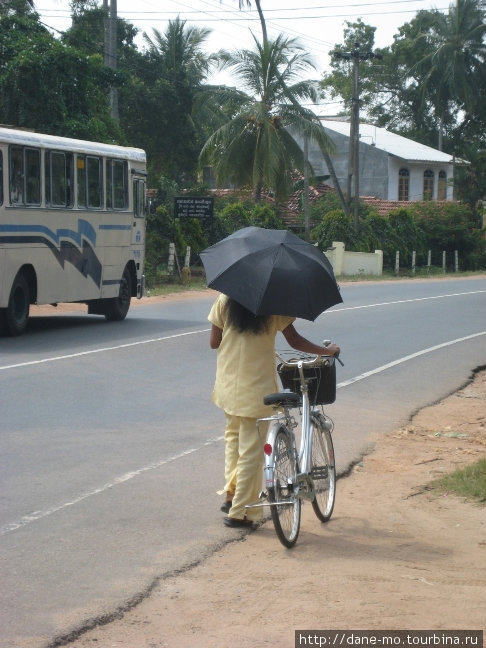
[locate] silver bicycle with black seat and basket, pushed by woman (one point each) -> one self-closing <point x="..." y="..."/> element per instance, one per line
<point x="308" y="473"/>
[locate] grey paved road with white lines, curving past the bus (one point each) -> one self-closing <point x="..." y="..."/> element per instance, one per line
<point x="111" y="451"/>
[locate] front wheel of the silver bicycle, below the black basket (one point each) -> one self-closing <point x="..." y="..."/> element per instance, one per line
<point x="323" y="471"/>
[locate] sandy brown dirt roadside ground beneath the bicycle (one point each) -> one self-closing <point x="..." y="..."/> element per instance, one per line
<point x="395" y="555"/>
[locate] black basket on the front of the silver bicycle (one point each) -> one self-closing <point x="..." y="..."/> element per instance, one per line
<point x="321" y="381"/>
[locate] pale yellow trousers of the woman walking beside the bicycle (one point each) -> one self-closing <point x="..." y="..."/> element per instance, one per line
<point x="243" y="465"/>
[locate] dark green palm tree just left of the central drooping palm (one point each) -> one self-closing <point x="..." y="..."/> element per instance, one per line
<point x="163" y="95"/>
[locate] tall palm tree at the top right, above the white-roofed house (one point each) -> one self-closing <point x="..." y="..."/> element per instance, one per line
<point x="454" y="69"/>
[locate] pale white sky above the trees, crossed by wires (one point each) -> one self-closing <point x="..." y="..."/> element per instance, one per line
<point x="317" y="24"/>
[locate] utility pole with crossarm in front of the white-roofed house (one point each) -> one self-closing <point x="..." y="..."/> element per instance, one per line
<point x="353" y="158"/>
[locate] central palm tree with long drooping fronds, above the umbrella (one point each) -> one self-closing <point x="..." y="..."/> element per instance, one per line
<point x="257" y="147"/>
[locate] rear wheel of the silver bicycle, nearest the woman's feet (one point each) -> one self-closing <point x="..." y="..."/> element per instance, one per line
<point x="286" y="506"/>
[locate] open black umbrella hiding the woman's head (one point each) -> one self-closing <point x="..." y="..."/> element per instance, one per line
<point x="272" y="272"/>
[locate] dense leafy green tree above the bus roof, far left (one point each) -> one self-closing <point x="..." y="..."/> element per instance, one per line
<point x="66" y="89"/>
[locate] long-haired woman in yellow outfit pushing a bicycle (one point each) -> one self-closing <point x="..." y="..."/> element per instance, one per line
<point x="245" y="373"/>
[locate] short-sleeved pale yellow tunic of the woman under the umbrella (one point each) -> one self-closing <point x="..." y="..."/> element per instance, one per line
<point x="246" y="369"/>
